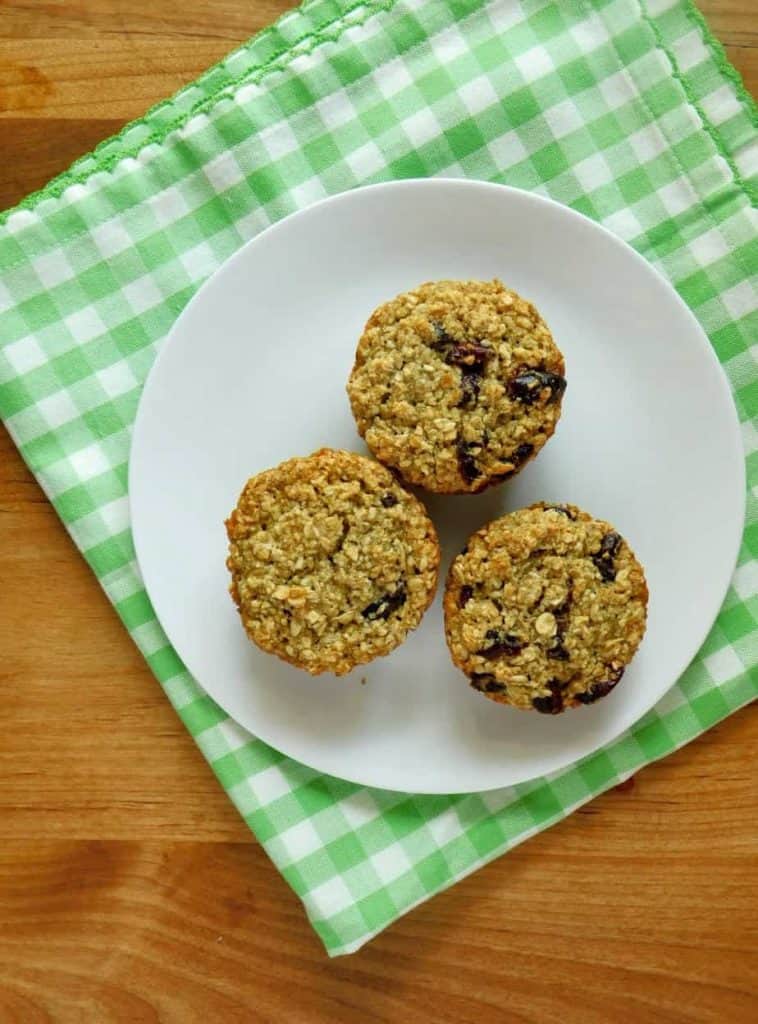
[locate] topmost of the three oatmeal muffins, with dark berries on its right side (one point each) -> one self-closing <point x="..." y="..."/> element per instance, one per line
<point x="457" y="385"/>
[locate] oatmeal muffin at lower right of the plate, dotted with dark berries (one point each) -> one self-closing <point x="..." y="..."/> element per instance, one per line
<point x="545" y="608"/>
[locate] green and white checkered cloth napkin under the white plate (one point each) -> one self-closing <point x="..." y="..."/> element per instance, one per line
<point x="626" y="112"/>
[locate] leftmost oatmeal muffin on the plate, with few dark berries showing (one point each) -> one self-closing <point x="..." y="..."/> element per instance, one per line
<point x="332" y="562"/>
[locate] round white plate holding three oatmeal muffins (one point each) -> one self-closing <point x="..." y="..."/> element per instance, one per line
<point x="255" y="372"/>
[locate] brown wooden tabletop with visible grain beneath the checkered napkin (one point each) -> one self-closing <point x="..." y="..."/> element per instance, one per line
<point x="131" y="891"/>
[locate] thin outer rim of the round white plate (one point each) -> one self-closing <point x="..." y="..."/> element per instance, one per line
<point x="736" y="528"/>
